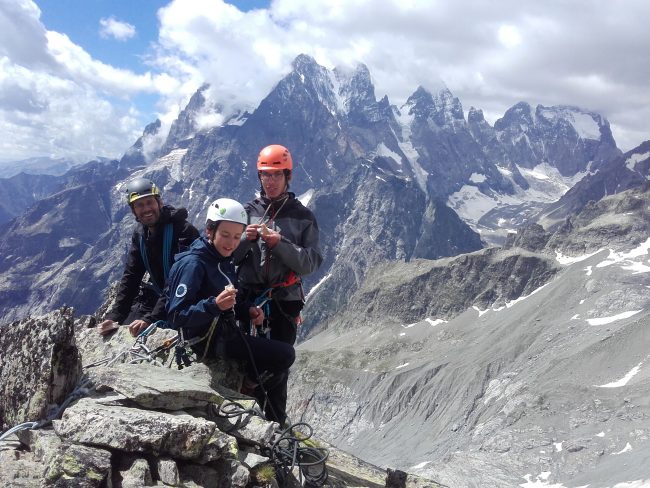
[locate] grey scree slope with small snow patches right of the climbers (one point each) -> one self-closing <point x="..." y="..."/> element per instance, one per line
<point x="496" y="367"/>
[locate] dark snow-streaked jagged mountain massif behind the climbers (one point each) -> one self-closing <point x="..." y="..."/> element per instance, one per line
<point x="360" y="161"/>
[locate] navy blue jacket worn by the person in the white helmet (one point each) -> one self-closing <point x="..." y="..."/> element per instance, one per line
<point x="196" y="278"/>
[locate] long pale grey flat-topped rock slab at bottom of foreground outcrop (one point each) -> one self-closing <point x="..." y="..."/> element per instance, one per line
<point x="134" y="430"/>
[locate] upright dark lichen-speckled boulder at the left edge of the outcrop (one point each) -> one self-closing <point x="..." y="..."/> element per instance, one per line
<point x="40" y="367"/>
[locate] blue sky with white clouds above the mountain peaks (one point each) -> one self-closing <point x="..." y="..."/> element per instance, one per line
<point x="80" y="79"/>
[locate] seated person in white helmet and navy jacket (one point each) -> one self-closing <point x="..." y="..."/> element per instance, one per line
<point x="204" y="299"/>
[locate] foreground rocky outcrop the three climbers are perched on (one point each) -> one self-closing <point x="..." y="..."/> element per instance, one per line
<point x="140" y="424"/>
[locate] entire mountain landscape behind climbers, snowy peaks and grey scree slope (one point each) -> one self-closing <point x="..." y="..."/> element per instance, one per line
<point x="434" y="224"/>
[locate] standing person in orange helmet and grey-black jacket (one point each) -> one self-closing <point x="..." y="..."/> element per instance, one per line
<point x="279" y="246"/>
